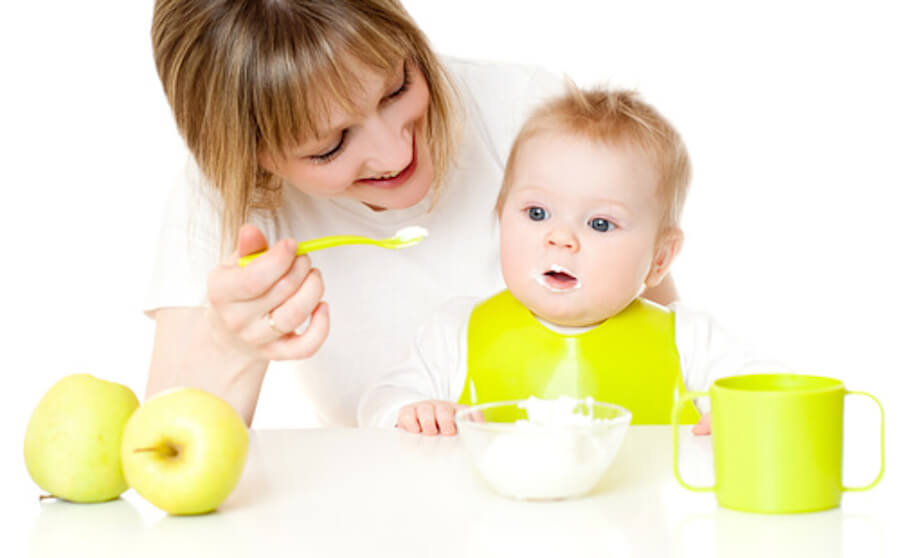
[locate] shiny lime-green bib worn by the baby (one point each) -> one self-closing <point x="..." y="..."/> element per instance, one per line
<point x="630" y="359"/>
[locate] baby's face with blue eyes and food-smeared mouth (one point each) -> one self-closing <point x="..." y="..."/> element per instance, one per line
<point x="579" y="228"/>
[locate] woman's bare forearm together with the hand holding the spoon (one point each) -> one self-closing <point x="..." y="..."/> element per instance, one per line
<point x="253" y="312"/>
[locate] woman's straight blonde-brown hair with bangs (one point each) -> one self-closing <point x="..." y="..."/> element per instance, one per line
<point x="246" y="76"/>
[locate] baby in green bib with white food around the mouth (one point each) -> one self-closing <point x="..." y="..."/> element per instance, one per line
<point x="589" y="217"/>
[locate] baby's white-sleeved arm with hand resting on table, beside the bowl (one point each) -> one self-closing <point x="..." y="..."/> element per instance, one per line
<point x="432" y="372"/>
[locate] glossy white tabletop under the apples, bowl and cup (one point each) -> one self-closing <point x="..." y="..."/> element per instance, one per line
<point x="335" y="492"/>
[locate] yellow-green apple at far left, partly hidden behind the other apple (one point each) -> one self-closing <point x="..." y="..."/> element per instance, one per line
<point x="73" y="439"/>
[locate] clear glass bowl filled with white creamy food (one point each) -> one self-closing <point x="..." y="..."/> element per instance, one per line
<point x="543" y="449"/>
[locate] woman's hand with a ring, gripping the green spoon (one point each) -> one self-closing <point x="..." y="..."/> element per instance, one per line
<point x="255" y="309"/>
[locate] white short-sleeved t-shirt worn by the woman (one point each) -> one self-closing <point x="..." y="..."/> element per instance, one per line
<point x="376" y="297"/>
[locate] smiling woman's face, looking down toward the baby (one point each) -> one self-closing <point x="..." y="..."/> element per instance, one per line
<point x="380" y="157"/>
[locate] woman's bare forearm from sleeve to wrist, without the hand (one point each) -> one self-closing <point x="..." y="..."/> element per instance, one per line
<point x="186" y="352"/>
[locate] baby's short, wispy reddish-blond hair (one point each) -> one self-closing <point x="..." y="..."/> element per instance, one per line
<point x="615" y="117"/>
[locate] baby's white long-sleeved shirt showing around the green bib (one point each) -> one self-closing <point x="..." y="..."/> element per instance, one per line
<point x="435" y="365"/>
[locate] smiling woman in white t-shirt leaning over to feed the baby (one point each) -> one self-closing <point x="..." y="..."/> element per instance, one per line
<point x="308" y="118"/>
